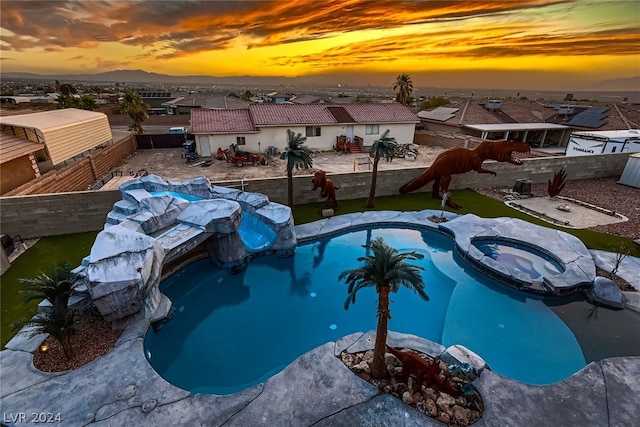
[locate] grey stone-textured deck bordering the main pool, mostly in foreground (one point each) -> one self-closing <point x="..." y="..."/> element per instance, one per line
<point x="316" y="389"/>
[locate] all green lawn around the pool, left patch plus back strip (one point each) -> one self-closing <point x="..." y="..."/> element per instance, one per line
<point x="50" y="252"/>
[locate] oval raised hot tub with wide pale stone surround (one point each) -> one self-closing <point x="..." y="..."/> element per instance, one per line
<point x="523" y="255"/>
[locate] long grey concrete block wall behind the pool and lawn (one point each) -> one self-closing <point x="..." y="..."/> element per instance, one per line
<point x="55" y="214"/>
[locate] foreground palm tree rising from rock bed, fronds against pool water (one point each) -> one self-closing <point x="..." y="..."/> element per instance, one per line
<point x="386" y="269"/>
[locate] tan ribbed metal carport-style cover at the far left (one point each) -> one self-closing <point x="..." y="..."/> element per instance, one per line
<point x="65" y="133"/>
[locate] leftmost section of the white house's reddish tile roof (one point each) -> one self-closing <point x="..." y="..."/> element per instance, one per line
<point x="220" y="121"/>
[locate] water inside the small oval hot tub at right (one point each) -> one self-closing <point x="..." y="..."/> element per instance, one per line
<point x="525" y="259"/>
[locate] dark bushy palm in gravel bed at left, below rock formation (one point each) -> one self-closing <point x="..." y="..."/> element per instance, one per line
<point x="57" y="288"/>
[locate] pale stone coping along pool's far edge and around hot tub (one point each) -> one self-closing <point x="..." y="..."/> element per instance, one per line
<point x="566" y="249"/>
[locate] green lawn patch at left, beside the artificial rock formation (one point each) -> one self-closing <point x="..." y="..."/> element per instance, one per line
<point x="47" y="254"/>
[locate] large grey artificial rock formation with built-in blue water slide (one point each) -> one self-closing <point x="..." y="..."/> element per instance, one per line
<point x="145" y="231"/>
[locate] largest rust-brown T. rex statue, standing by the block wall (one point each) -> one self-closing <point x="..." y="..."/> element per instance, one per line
<point x="460" y="160"/>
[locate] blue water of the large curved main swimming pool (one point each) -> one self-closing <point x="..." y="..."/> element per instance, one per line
<point x="230" y="332"/>
